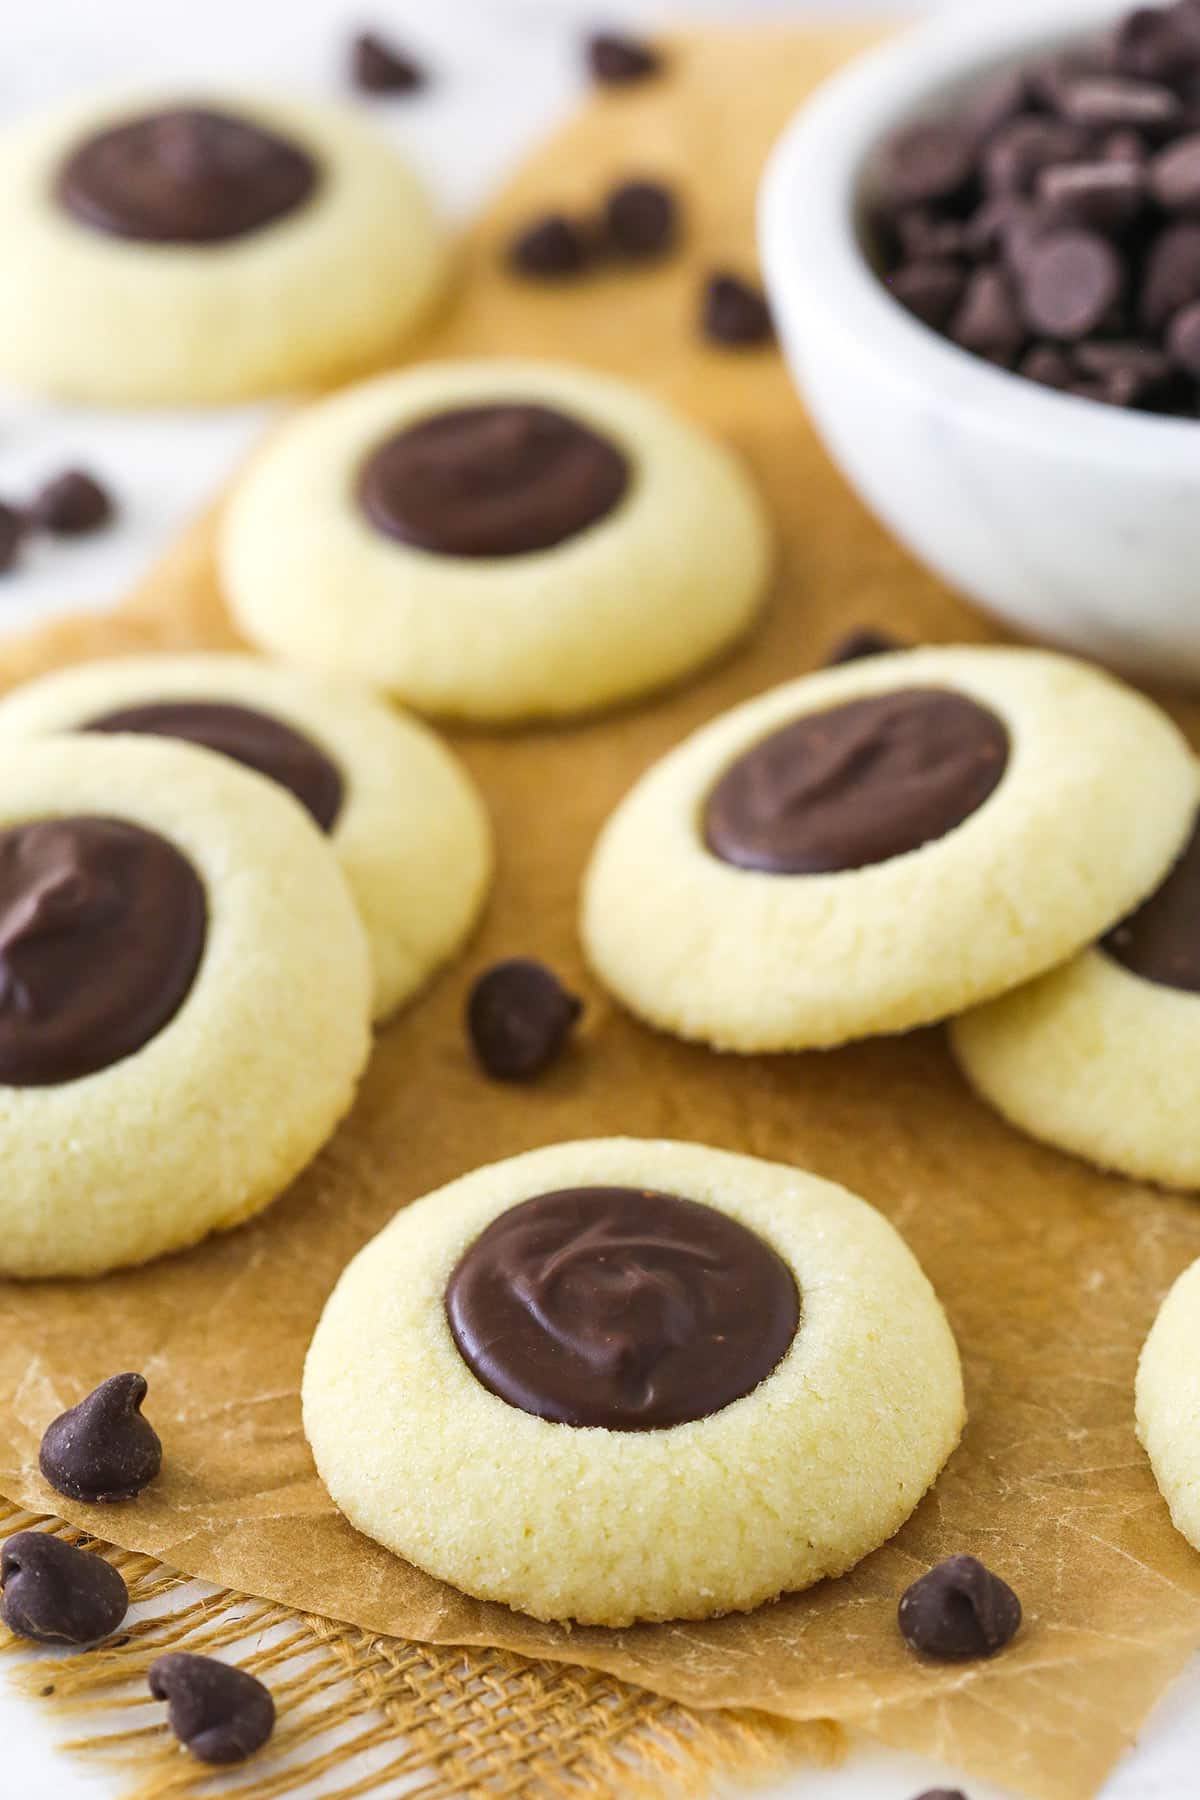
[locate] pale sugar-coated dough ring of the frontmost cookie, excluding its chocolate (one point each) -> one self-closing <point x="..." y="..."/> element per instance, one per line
<point x="796" y="1480"/>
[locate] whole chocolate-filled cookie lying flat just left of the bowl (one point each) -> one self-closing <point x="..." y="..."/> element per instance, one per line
<point x="496" y="541"/>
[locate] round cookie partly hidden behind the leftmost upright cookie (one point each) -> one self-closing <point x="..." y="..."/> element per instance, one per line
<point x="402" y="816"/>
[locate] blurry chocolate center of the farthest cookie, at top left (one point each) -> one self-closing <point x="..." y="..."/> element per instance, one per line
<point x="188" y="175"/>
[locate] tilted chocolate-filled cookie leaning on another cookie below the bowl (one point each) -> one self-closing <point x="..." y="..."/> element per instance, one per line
<point x="881" y="845"/>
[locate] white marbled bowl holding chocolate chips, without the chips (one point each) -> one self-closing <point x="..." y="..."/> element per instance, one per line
<point x="1068" y="519"/>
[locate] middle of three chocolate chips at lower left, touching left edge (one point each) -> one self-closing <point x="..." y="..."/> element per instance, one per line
<point x="58" y="1594"/>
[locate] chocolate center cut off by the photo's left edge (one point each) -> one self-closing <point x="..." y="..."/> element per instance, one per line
<point x="102" y="933"/>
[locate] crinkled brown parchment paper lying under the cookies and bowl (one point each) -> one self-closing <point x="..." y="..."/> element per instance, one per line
<point x="1050" y="1273"/>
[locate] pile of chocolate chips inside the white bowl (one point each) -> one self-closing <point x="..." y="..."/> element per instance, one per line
<point x="1053" y="222"/>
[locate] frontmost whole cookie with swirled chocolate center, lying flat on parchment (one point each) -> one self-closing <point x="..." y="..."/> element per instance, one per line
<point x="625" y="1318"/>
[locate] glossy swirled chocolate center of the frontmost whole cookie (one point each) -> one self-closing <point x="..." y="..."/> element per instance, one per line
<point x="622" y="1308"/>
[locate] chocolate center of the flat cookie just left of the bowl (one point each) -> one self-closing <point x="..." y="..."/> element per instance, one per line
<point x="492" y="481"/>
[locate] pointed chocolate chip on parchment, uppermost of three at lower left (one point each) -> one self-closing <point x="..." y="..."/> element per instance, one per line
<point x="103" y="1450"/>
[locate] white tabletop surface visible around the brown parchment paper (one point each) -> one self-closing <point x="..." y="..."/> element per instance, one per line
<point x="506" y="69"/>
